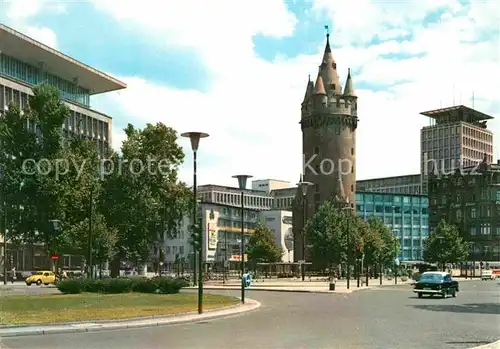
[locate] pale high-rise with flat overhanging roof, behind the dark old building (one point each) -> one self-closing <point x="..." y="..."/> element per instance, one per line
<point x="457" y="137"/>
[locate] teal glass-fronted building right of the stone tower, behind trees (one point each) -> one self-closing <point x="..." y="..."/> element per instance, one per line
<point x="406" y="215"/>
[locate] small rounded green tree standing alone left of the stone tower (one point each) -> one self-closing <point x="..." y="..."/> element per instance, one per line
<point x="262" y="247"/>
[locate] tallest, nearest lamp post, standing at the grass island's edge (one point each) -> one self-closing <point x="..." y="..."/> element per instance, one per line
<point x="195" y="137"/>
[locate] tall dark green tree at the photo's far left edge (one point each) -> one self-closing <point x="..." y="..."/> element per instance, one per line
<point x="34" y="136"/>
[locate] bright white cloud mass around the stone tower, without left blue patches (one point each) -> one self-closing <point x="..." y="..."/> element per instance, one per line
<point x="253" y="106"/>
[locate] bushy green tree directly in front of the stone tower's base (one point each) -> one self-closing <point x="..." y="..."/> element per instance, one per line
<point x="333" y="234"/>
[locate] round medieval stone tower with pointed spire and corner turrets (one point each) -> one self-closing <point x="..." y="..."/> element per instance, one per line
<point x="328" y="121"/>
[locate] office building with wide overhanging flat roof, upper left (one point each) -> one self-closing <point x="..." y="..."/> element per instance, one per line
<point x="25" y="62"/>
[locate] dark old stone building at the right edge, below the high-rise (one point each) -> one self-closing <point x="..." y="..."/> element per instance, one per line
<point x="470" y="199"/>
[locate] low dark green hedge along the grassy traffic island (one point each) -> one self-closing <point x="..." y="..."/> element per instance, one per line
<point x="166" y="285"/>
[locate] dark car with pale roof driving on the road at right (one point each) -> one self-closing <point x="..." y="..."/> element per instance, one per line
<point x="436" y="283"/>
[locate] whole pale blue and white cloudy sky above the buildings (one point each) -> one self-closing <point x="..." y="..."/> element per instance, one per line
<point x="238" y="70"/>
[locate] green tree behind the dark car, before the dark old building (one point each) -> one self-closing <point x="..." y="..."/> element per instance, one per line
<point x="445" y="245"/>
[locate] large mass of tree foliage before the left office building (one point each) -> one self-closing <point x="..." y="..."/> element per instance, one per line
<point x="126" y="201"/>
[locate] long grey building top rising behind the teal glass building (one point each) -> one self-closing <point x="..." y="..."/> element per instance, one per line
<point x="408" y="184"/>
